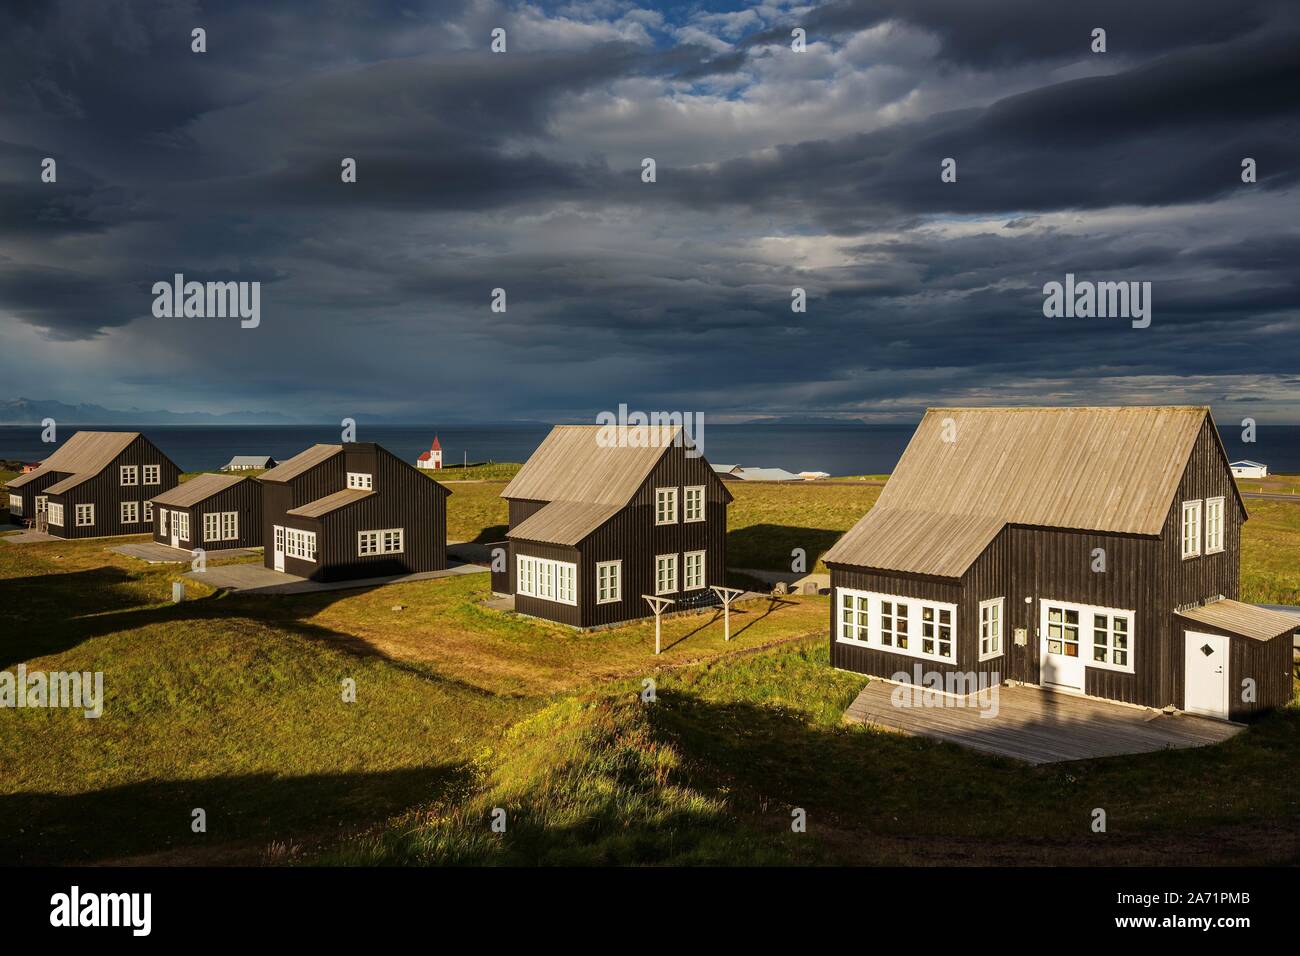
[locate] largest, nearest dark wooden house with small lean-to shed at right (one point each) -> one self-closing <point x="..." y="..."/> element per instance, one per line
<point x="1090" y="551"/>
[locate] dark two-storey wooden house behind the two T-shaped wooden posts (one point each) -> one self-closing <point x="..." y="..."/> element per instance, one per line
<point x="595" y="525"/>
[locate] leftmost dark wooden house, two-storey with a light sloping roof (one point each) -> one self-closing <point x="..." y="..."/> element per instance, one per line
<point x="96" y="485"/>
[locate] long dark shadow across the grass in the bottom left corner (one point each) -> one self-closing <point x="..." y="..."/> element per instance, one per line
<point x="157" y="816"/>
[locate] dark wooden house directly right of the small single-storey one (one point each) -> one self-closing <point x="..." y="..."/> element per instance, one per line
<point x="349" y="512"/>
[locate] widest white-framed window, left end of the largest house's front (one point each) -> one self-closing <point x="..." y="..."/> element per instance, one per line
<point x="898" y="624"/>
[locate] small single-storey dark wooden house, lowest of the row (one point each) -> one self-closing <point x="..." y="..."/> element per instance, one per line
<point x="210" y="512"/>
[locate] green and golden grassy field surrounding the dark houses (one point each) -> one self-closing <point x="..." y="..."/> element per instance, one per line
<point x="235" y="706"/>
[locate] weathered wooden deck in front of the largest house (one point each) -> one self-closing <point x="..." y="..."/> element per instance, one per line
<point x="1041" y="726"/>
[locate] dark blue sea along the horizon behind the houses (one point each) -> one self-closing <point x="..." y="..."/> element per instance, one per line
<point x="848" y="449"/>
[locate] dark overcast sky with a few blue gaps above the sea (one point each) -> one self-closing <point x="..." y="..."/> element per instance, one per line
<point x="775" y="170"/>
